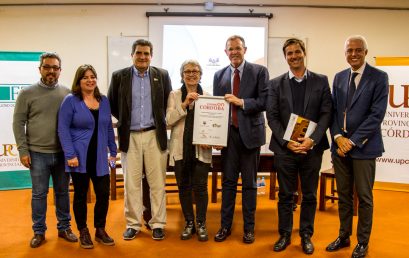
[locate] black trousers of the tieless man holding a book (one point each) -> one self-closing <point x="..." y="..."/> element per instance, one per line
<point x="289" y="167"/>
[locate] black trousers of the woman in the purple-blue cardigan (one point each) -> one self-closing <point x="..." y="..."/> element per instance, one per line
<point x="101" y="188"/>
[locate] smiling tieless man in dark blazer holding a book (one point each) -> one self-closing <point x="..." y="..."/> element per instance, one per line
<point x="308" y="95"/>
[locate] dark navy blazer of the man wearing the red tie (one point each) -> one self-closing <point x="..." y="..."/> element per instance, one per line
<point x="253" y="90"/>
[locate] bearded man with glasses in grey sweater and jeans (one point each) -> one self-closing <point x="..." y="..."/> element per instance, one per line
<point x="35" y="131"/>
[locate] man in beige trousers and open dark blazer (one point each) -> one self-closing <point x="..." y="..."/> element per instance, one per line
<point x="138" y="96"/>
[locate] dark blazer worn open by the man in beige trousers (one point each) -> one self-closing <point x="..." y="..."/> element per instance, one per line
<point x="120" y="98"/>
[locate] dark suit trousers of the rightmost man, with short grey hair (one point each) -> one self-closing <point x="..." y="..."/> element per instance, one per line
<point x="361" y="173"/>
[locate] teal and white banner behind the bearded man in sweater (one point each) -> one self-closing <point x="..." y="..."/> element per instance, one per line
<point x="17" y="70"/>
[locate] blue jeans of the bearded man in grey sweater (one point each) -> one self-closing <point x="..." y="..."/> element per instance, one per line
<point x="44" y="165"/>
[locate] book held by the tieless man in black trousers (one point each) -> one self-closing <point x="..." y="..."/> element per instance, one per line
<point x="298" y="127"/>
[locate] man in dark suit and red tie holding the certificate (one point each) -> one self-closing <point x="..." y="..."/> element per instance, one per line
<point x="244" y="86"/>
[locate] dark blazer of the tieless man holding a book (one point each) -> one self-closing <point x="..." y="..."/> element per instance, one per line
<point x="317" y="108"/>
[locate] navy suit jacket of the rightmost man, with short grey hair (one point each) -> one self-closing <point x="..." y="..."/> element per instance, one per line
<point x="366" y="113"/>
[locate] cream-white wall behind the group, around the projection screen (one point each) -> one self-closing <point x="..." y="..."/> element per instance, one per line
<point x="79" y="33"/>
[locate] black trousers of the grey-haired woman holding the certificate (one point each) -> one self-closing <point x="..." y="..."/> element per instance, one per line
<point x="193" y="182"/>
